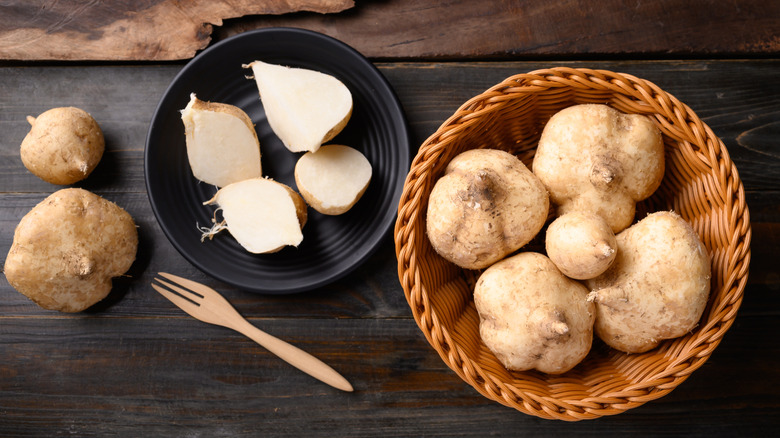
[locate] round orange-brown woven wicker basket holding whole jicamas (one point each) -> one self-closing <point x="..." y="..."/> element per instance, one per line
<point x="701" y="184"/>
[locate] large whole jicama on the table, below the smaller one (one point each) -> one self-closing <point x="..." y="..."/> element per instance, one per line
<point x="68" y="248"/>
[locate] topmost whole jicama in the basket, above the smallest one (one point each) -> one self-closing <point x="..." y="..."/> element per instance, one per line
<point x="595" y="159"/>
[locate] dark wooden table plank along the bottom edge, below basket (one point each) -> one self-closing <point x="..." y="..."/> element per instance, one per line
<point x="174" y="376"/>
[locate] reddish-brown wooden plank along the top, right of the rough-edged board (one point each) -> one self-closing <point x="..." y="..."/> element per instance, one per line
<point x="570" y="28"/>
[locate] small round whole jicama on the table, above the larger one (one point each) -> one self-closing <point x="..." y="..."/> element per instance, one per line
<point x="64" y="145"/>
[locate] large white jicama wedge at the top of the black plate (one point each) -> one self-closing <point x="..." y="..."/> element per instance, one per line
<point x="305" y="108"/>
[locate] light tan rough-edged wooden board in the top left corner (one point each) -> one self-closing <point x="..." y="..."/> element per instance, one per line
<point x="114" y="30"/>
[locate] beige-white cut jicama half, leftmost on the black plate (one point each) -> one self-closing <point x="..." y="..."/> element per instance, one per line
<point x="222" y="145"/>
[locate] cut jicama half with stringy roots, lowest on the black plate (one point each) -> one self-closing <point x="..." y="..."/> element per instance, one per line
<point x="263" y="215"/>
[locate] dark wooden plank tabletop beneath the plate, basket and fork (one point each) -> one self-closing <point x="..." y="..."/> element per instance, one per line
<point x="134" y="364"/>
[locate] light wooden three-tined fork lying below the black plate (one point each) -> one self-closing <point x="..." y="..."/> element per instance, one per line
<point x="207" y="305"/>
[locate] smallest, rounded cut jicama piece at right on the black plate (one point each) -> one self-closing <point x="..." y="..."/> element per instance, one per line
<point x="332" y="179"/>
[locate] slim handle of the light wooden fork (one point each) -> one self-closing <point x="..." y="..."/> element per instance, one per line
<point x="294" y="356"/>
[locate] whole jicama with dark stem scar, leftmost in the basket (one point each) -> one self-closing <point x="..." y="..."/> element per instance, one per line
<point x="486" y="206"/>
